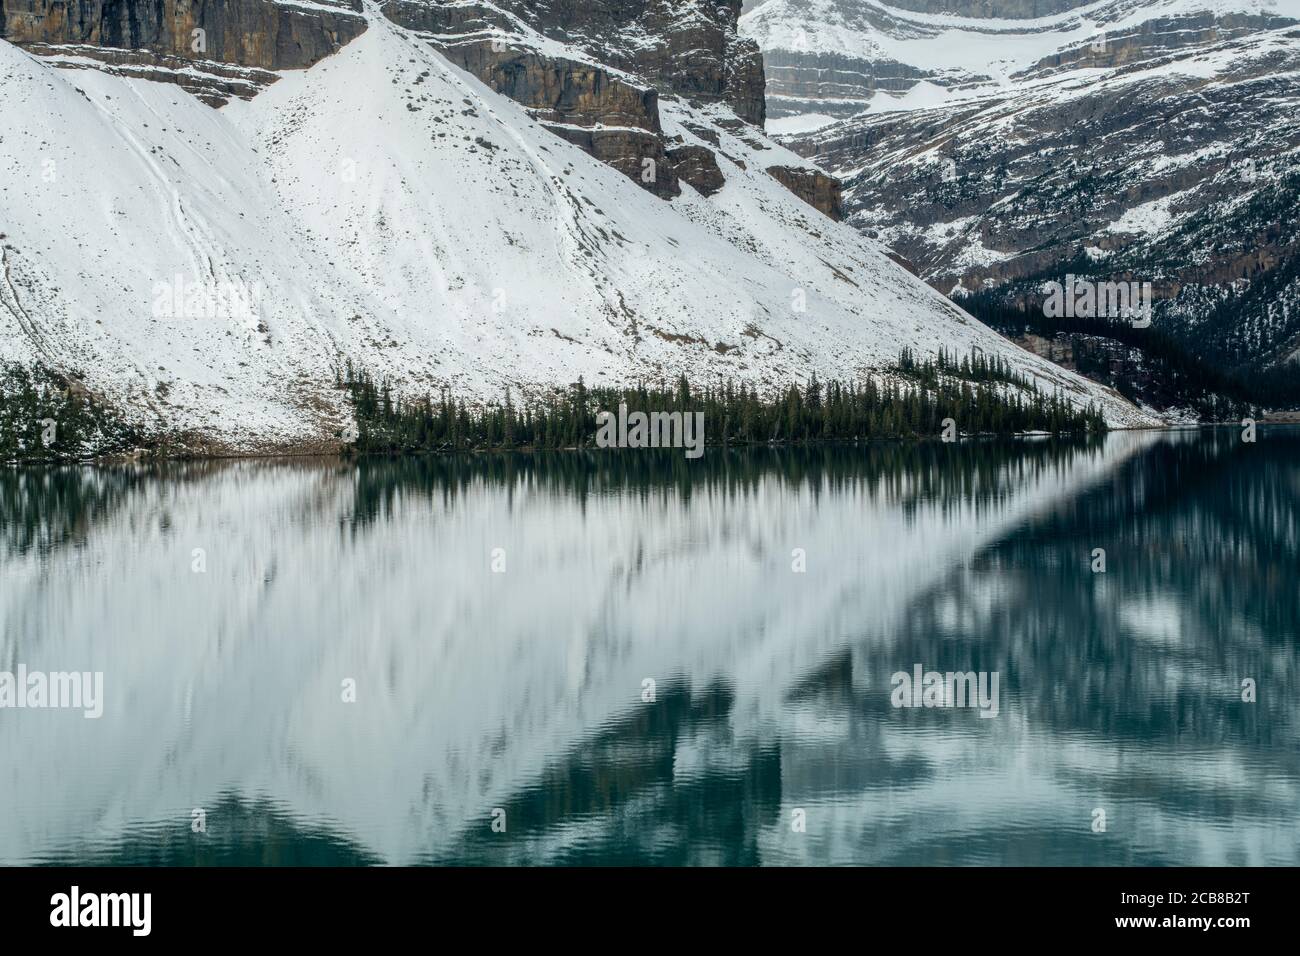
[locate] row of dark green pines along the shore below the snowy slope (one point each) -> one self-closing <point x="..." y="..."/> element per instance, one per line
<point x="937" y="391"/>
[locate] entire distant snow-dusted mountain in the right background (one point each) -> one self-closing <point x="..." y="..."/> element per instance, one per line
<point x="1126" y="140"/>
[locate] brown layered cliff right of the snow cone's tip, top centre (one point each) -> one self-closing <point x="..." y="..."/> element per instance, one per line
<point x="593" y="75"/>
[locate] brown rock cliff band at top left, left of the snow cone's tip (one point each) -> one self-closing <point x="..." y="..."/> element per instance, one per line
<point x="215" y="50"/>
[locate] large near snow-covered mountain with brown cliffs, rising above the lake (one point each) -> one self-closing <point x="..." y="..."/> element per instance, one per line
<point x="210" y="266"/>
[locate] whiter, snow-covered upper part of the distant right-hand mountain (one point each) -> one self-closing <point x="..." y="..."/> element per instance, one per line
<point x="837" y="58"/>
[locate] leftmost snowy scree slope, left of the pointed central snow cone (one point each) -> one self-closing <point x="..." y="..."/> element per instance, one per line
<point x="111" y="188"/>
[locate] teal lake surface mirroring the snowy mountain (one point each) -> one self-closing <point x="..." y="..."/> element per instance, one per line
<point x="523" y="690"/>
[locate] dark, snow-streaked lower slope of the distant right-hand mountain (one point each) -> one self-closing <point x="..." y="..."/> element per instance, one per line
<point x="1181" y="170"/>
